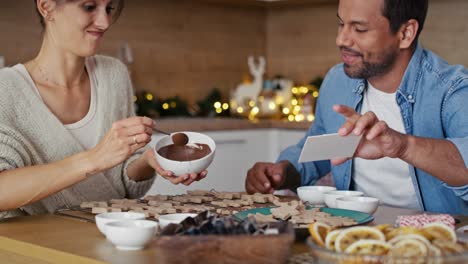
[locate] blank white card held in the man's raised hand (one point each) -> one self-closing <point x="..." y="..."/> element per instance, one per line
<point x="330" y="146"/>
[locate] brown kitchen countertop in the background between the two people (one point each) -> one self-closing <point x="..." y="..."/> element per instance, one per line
<point x="220" y="124"/>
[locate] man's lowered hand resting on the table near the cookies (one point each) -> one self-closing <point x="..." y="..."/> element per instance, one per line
<point x="265" y="177"/>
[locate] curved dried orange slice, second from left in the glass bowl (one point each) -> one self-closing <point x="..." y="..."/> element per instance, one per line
<point x="353" y="234"/>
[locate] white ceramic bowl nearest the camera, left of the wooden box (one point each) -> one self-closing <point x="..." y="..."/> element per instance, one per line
<point x="131" y="235"/>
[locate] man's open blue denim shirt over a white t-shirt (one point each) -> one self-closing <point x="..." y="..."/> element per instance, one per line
<point x="433" y="99"/>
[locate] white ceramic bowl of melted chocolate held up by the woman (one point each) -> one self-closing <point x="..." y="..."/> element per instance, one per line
<point x="184" y="167"/>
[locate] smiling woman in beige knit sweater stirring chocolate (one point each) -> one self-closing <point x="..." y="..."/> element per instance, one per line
<point x="68" y="133"/>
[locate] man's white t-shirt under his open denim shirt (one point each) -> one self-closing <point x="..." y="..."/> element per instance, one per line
<point x="387" y="179"/>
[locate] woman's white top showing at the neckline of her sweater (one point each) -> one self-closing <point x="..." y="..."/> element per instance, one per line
<point x="84" y="130"/>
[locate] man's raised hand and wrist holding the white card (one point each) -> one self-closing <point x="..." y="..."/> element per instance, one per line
<point x="378" y="140"/>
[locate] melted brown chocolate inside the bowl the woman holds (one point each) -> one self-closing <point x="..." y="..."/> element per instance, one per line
<point x="185" y="152"/>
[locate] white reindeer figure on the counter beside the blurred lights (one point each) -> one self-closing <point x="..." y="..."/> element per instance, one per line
<point x="247" y="92"/>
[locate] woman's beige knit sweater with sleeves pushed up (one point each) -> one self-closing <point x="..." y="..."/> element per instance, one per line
<point x="31" y="135"/>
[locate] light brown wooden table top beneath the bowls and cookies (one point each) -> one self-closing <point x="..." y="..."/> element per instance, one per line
<point x="60" y="239"/>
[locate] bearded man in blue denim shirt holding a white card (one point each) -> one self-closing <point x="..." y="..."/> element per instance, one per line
<point x="408" y="104"/>
